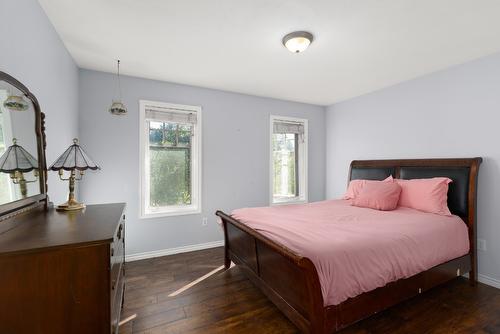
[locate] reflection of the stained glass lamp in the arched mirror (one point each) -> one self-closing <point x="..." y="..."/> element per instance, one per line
<point x="16" y="161"/>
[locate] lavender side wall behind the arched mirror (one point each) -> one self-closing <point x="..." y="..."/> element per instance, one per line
<point x="32" y="52"/>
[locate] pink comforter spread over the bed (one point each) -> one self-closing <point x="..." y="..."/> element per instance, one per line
<point x="356" y="250"/>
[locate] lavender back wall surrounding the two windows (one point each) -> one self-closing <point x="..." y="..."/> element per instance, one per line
<point x="235" y="154"/>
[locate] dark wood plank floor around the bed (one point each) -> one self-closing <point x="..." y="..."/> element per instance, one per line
<point x="227" y="302"/>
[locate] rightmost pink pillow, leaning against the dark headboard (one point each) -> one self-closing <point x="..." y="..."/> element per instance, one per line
<point x="429" y="195"/>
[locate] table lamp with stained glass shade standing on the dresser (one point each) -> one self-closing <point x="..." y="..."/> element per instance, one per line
<point x="72" y="160"/>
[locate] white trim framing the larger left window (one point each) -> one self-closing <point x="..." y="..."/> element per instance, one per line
<point x="197" y="162"/>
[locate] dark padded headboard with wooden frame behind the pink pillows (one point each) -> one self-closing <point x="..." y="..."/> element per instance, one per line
<point x="463" y="172"/>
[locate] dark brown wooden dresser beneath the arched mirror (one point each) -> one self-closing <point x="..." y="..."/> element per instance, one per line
<point x="62" y="272"/>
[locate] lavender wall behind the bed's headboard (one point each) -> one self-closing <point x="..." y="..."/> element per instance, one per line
<point x="452" y="113"/>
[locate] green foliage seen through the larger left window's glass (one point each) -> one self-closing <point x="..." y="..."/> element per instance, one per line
<point x="170" y="164"/>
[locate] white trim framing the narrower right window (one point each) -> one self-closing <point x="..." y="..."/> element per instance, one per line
<point x="303" y="163"/>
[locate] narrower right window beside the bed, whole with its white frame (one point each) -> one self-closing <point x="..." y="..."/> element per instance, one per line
<point x="288" y="160"/>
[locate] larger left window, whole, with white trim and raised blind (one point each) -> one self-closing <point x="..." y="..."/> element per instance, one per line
<point x="170" y="159"/>
